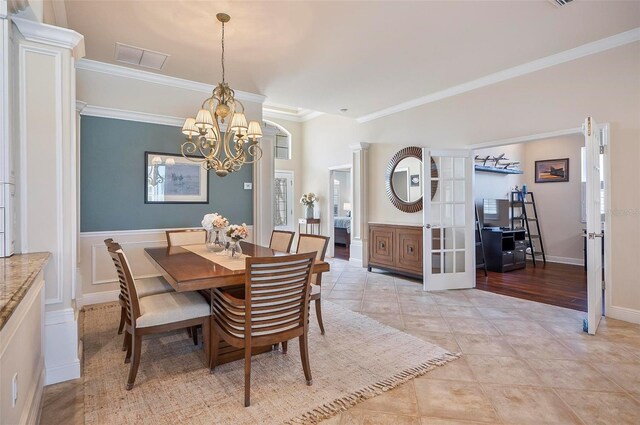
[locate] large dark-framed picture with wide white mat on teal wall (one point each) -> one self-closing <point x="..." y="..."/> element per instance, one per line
<point x="173" y="179"/>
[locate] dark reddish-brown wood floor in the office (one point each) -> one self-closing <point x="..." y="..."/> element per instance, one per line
<point x="557" y="284"/>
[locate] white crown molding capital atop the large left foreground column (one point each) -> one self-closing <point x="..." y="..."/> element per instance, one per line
<point x="51" y="35"/>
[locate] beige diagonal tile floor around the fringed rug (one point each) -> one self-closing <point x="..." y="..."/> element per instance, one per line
<point x="523" y="362"/>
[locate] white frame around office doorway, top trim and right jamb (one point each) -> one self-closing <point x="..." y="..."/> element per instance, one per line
<point x="607" y="184"/>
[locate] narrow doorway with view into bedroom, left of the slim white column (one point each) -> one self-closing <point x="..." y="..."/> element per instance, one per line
<point x="340" y="210"/>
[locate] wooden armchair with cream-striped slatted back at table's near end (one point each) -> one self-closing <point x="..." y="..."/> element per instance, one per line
<point x="274" y="309"/>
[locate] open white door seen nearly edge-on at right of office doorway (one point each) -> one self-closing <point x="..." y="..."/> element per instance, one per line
<point x="593" y="143"/>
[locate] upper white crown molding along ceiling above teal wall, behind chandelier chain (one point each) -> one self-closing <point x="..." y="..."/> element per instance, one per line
<point x="165" y="80"/>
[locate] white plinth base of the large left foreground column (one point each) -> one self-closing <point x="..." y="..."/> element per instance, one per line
<point x="61" y="346"/>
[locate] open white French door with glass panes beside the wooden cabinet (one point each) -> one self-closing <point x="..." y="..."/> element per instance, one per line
<point x="448" y="220"/>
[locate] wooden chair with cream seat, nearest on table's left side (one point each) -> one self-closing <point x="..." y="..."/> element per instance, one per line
<point x="155" y="313"/>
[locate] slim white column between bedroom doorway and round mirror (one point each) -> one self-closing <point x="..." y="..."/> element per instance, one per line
<point x="359" y="217"/>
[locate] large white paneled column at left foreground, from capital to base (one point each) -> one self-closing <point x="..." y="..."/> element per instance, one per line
<point x="48" y="181"/>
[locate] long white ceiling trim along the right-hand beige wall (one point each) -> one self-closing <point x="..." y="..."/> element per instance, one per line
<point x="507" y="74"/>
